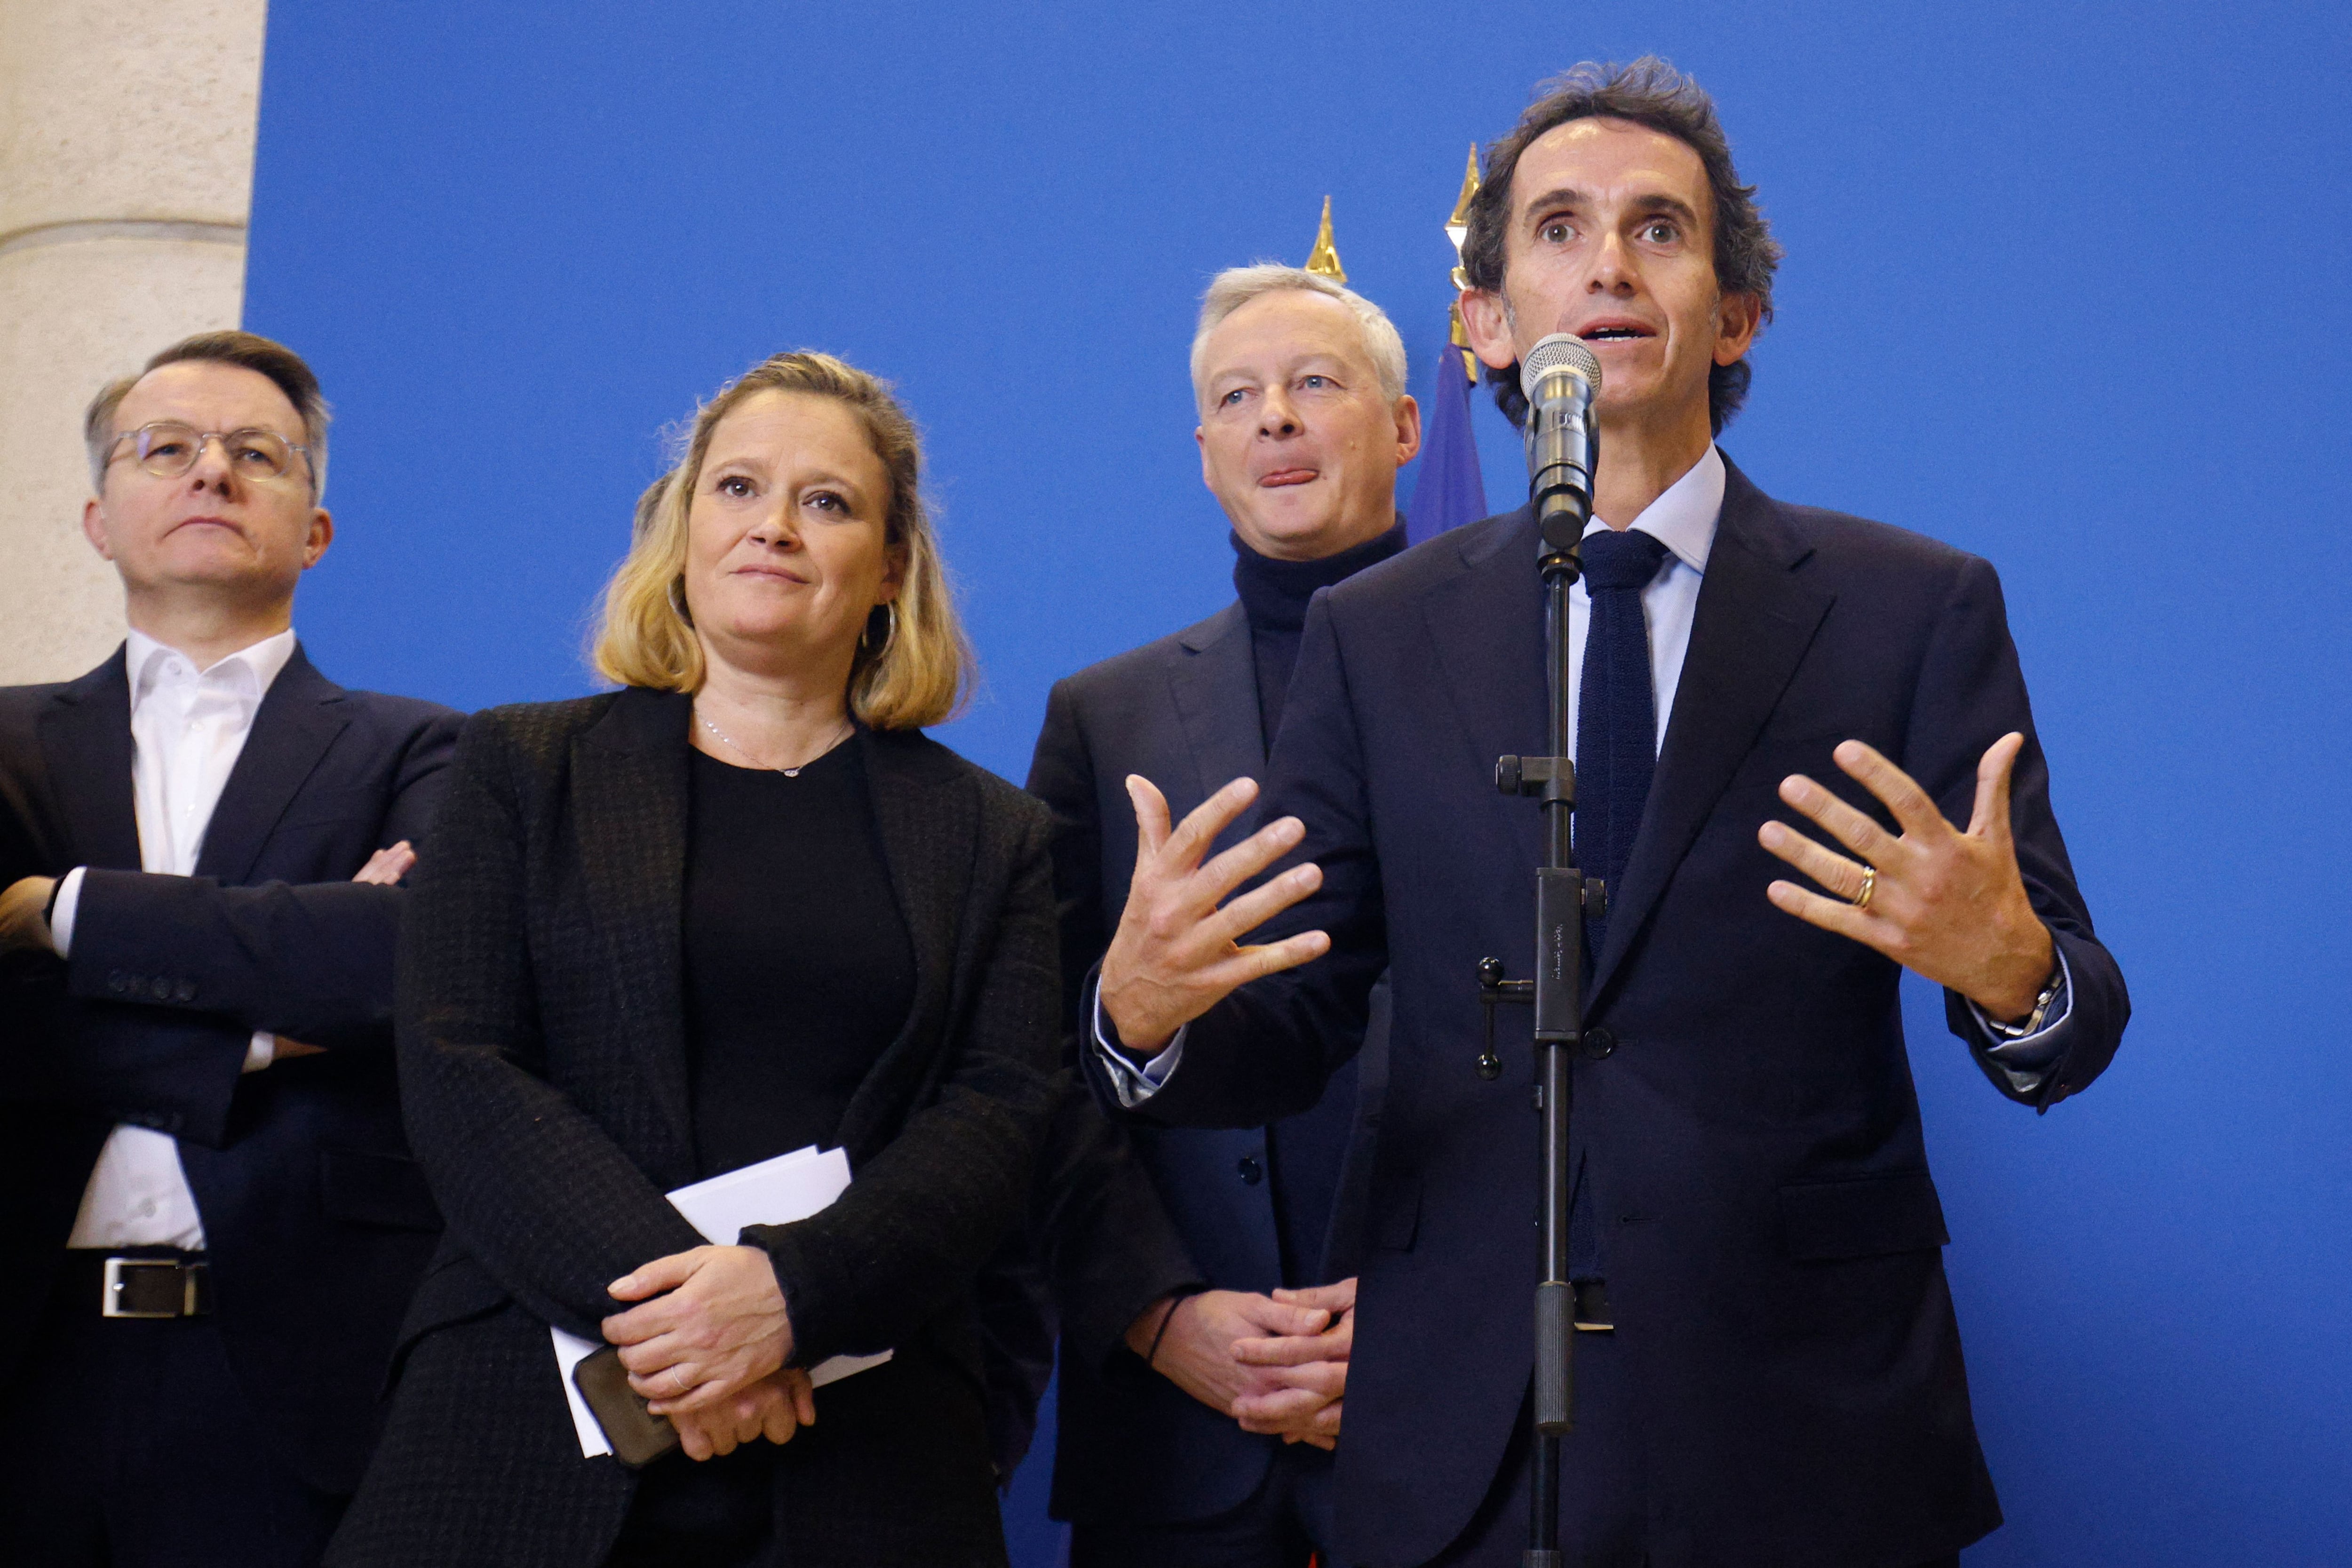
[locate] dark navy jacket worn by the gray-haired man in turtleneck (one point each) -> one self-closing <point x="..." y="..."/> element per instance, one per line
<point x="1184" y="713"/>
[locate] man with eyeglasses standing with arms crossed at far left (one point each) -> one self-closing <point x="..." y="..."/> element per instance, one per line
<point x="208" y="1214"/>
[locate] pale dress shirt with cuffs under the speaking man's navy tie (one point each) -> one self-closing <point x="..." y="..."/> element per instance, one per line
<point x="1683" y="521"/>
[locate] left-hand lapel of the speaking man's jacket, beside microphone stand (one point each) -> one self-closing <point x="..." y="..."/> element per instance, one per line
<point x="1488" y="626"/>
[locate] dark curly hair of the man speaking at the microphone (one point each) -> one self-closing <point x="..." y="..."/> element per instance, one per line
<point x="1648" y="93"/>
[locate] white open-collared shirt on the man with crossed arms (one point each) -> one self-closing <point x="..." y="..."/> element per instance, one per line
<point x="187" y="732"/>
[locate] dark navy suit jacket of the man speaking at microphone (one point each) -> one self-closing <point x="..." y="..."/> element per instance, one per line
<point x="1753" y="1139"/>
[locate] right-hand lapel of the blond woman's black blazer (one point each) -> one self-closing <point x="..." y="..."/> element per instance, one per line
<point x="928" y="819"/>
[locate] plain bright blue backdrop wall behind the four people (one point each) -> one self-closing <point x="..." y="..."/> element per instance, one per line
<point x="2066" y="288"/>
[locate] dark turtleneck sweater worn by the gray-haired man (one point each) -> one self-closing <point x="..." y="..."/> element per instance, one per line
<point x="1304" y="1151"/>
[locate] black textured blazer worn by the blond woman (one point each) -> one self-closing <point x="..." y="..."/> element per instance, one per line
<point x="542" y="1050"/>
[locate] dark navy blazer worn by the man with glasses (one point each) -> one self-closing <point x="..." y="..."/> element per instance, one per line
<point x="314" y="1217"/>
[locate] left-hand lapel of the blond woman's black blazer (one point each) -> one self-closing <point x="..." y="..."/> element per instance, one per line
<point x="629" y="798"/>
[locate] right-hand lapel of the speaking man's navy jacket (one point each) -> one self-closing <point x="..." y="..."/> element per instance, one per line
<point x="1751" y="631"/>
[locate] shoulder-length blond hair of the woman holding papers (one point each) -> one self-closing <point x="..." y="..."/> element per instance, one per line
<point x="914" y="664"/>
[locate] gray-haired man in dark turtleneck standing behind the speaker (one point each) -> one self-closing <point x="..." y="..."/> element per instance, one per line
<point x="1208" y="1308"/>
